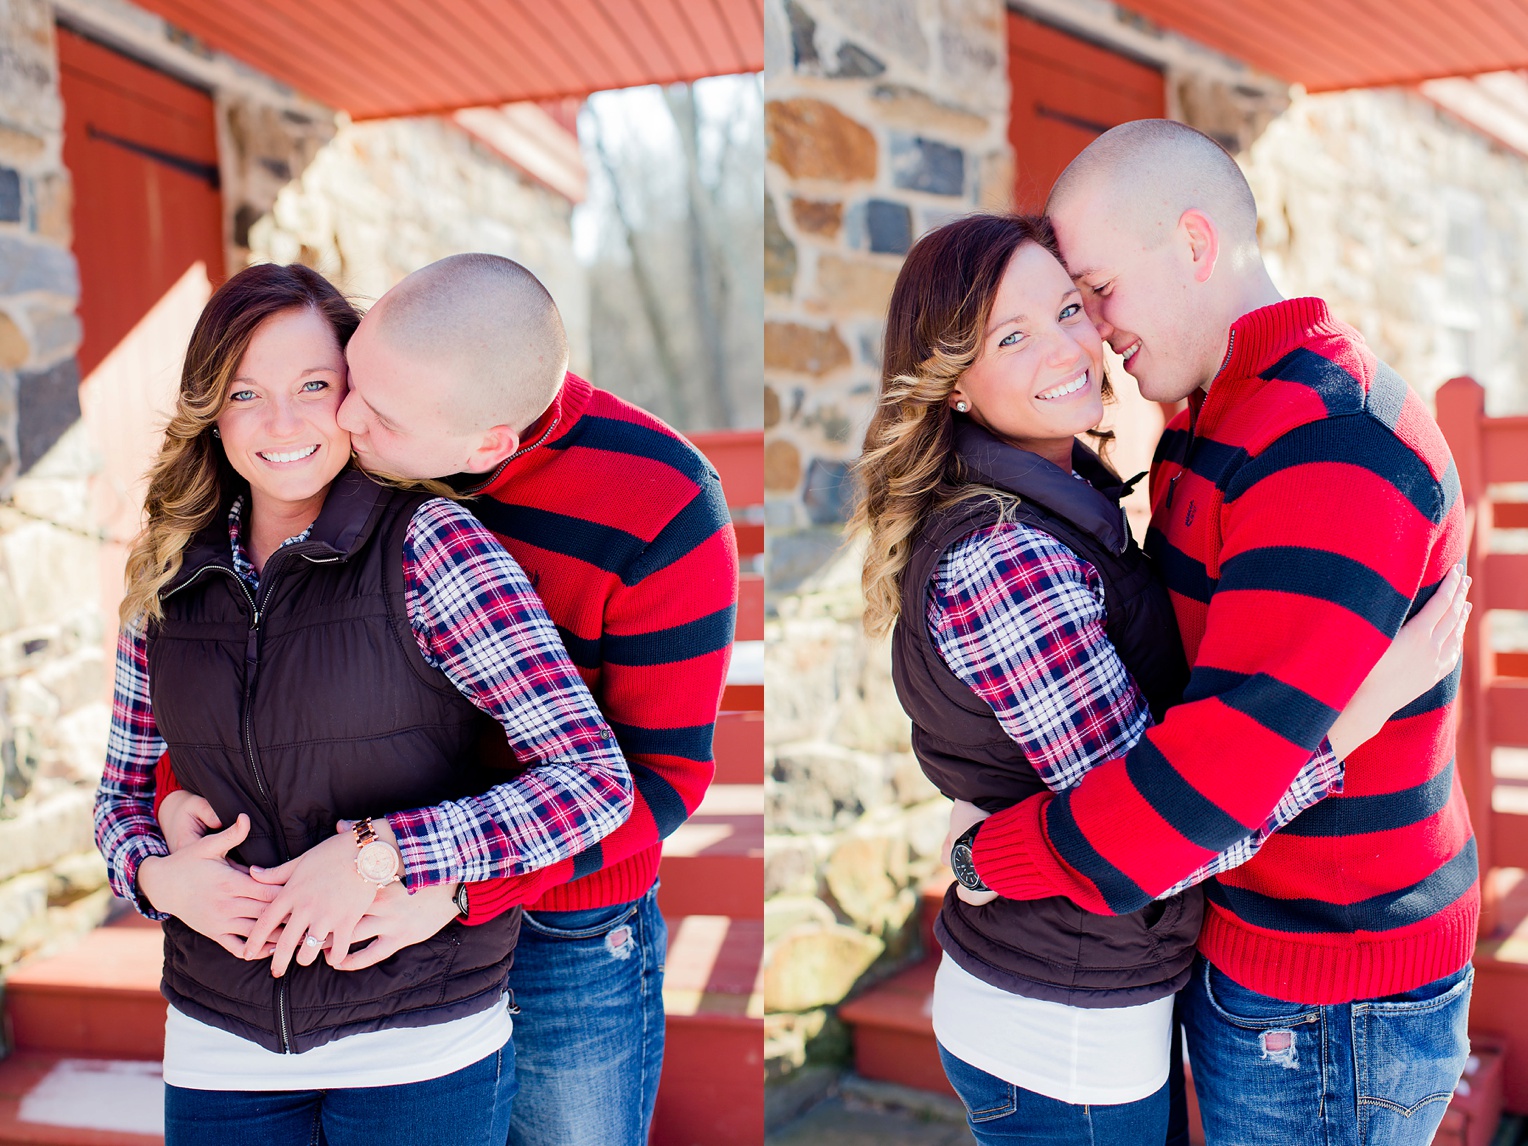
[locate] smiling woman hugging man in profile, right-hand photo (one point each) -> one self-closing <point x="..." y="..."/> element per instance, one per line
<point x="1031" y="644"/>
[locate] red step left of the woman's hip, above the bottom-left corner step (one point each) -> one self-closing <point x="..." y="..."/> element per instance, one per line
<point x="99" y="999"/>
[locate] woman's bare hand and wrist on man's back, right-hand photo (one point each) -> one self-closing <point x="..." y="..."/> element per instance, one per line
<point x="1423" y="653"/>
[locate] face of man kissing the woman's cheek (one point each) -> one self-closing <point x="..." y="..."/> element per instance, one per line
<point x="400" y="412"/>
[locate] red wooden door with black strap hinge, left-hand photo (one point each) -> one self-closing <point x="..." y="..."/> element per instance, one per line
<point x="141" y="151"/>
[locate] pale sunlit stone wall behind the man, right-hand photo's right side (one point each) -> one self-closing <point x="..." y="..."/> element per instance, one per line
<point x="1413" y="225"/>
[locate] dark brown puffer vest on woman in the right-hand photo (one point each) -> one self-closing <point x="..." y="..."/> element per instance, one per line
<point x="1044" y="950"/>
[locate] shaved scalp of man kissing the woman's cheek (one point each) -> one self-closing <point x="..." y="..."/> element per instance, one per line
<point x="490" y="326"/>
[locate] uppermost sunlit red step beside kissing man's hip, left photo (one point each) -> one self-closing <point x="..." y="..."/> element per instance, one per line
<point x="714" y="863"/>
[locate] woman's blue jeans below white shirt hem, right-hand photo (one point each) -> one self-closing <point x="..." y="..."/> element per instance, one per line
<point x="1002" y="1113"/>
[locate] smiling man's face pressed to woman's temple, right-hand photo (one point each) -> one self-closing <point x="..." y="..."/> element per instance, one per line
<point x="1142" y="296"/>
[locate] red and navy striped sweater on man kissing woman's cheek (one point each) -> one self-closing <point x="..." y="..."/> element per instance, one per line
<point x="623" y="528"/>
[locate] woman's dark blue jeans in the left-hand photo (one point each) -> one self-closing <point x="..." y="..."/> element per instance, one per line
<point x="467" y="1109"/>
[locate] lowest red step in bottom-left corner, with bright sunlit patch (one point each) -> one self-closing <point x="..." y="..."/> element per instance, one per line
<point x="66" y="1101"/>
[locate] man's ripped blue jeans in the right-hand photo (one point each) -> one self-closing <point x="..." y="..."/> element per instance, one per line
<point x="1344" y="1075"/>
